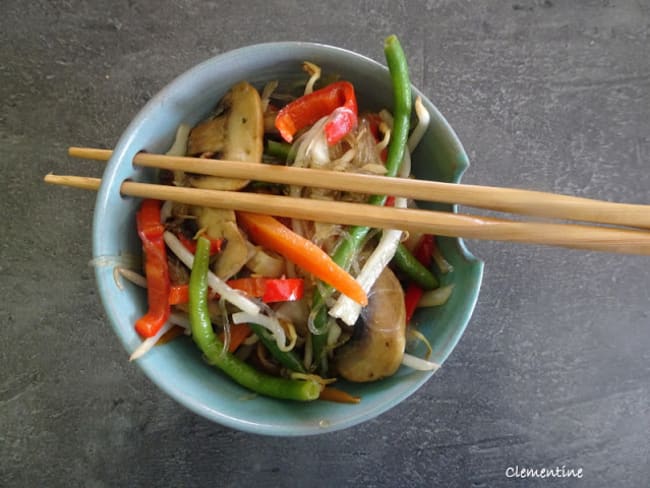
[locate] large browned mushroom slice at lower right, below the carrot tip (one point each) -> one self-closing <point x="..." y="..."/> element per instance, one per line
<point x="377" y="349"/>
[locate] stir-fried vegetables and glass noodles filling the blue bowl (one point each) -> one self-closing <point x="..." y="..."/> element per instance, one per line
<point x="285" y="307"/>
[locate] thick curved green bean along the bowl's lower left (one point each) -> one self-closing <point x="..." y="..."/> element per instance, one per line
<point x="212" y="347"/>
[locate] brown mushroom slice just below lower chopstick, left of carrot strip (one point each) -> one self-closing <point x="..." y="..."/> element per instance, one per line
<point x="221" y="224"/>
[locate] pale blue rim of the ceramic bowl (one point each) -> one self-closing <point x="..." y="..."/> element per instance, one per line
<point x="110" y="182"/>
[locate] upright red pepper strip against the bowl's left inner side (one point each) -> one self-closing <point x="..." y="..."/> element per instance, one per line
<point x="151" y="231"/>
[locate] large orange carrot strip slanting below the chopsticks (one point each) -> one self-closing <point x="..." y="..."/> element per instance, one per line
<point x="270" y="233"/>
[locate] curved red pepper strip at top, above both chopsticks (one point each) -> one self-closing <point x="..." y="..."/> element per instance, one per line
<point x="337" y="99"/>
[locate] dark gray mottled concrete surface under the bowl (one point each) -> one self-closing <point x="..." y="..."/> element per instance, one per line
<point x="554" y="369"/>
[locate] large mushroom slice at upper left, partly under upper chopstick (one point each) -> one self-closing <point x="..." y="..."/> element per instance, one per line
<point x="235" y="134"/>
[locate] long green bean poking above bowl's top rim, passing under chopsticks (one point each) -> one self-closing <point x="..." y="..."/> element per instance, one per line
<point x="347" y="248"/>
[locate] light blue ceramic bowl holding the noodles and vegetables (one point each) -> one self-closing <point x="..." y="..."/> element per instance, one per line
<point x="177" y="368"/>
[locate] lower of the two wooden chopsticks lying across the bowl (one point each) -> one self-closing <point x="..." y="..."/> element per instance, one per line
<point x="615" y="240"/>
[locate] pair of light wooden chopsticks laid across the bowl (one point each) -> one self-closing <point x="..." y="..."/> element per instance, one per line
<point x="634" y="240"/>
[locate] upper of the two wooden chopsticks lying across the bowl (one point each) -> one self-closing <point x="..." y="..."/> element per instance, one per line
<point x="524" y="202"/>
